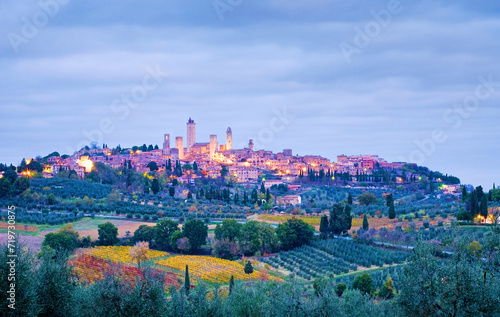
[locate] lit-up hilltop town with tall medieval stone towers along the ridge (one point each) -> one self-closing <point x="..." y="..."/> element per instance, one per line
<point x="246" y="166"/>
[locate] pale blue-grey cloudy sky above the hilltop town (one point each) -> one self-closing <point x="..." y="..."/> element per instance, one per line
<point x="408" y="80"/>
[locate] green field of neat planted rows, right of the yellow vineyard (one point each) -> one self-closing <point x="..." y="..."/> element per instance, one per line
<point x="333" y="257"/>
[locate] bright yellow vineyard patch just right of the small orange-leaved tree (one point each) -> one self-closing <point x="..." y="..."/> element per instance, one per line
<point x="207" y="268"/>
